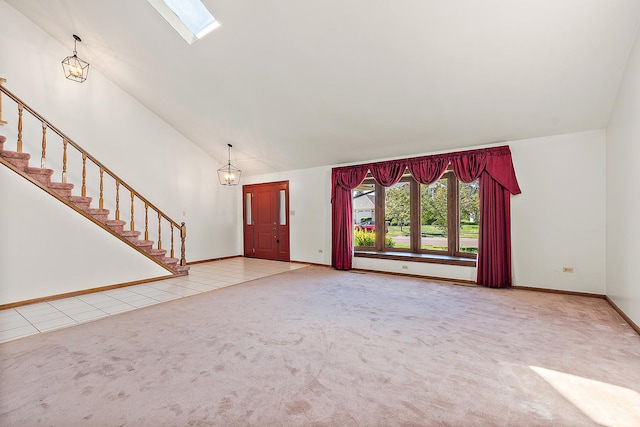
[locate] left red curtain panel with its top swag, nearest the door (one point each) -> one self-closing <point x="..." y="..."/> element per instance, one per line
<point x="343" y="181"/>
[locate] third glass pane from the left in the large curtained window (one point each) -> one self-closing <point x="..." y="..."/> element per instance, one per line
<point x="433" y="216"/>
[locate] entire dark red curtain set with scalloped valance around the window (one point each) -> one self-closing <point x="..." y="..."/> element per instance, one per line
<point x="493" y="167"/>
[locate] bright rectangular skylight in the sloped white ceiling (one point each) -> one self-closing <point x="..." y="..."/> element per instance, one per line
<point x="190" y="18"/>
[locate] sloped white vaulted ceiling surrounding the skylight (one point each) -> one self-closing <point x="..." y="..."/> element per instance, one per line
<point x="303" y="83"/>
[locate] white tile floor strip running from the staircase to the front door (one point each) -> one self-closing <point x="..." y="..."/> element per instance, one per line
<point x="45" y="316"/>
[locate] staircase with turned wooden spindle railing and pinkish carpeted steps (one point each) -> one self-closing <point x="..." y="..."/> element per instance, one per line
<point x="19" y="163"/>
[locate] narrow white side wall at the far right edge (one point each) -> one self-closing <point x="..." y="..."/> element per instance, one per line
<point x="623" y="193"/>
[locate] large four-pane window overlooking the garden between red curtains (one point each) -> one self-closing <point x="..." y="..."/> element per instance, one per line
<point x="436" y="221"/>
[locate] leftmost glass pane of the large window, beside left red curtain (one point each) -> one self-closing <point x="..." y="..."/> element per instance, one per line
<point x="364" y="214"/>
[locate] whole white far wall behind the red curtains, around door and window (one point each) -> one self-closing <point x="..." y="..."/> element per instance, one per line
<point x="558" y="220"/>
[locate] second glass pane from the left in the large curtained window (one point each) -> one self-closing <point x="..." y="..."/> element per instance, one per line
<point x="397" y="216"/>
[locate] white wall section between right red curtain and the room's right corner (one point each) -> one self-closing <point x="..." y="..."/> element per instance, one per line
<point x="559" y="219"/>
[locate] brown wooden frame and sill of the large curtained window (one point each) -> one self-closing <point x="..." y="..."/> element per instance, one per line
<point x="415" y="252"/>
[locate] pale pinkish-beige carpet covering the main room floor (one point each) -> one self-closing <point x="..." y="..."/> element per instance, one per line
<point x="318" y="347"/>
